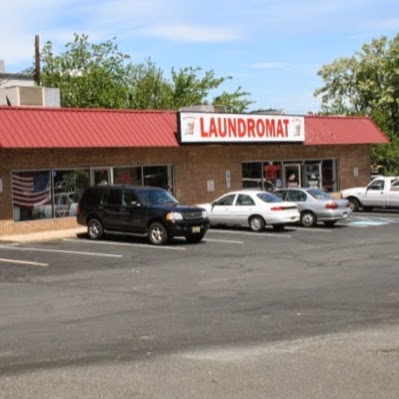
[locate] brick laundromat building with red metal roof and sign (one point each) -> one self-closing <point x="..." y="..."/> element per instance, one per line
<point x="48" y="156"/>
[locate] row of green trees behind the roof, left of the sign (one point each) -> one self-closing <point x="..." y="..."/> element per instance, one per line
<point x="100" y="76"/>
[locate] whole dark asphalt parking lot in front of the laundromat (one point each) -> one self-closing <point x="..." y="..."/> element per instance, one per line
<point x="304" y="313"/>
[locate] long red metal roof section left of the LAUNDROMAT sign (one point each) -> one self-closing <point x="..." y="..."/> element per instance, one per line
<point x="85" y="128"/>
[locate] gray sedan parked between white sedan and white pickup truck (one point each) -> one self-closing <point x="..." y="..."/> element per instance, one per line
<point x="316" y="205"/>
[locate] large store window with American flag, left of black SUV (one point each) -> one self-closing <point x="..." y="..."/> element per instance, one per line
<point x="47" y="194"/>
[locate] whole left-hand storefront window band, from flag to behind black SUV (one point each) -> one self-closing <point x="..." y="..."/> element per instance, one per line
<point x="50" y="194"/>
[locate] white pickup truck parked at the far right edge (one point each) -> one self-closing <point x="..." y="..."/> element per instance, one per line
<point x="382" y="192"/>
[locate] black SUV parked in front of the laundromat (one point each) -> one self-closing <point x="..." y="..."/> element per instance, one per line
<point x="150" y="212"/>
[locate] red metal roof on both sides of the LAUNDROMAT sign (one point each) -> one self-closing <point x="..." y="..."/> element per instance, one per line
<point x="22" y="127"/>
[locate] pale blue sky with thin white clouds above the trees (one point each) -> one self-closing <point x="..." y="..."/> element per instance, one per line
<point x="272" y="48"/>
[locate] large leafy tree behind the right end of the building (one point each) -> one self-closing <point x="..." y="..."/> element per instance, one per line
<point x="368" y="84"/>
